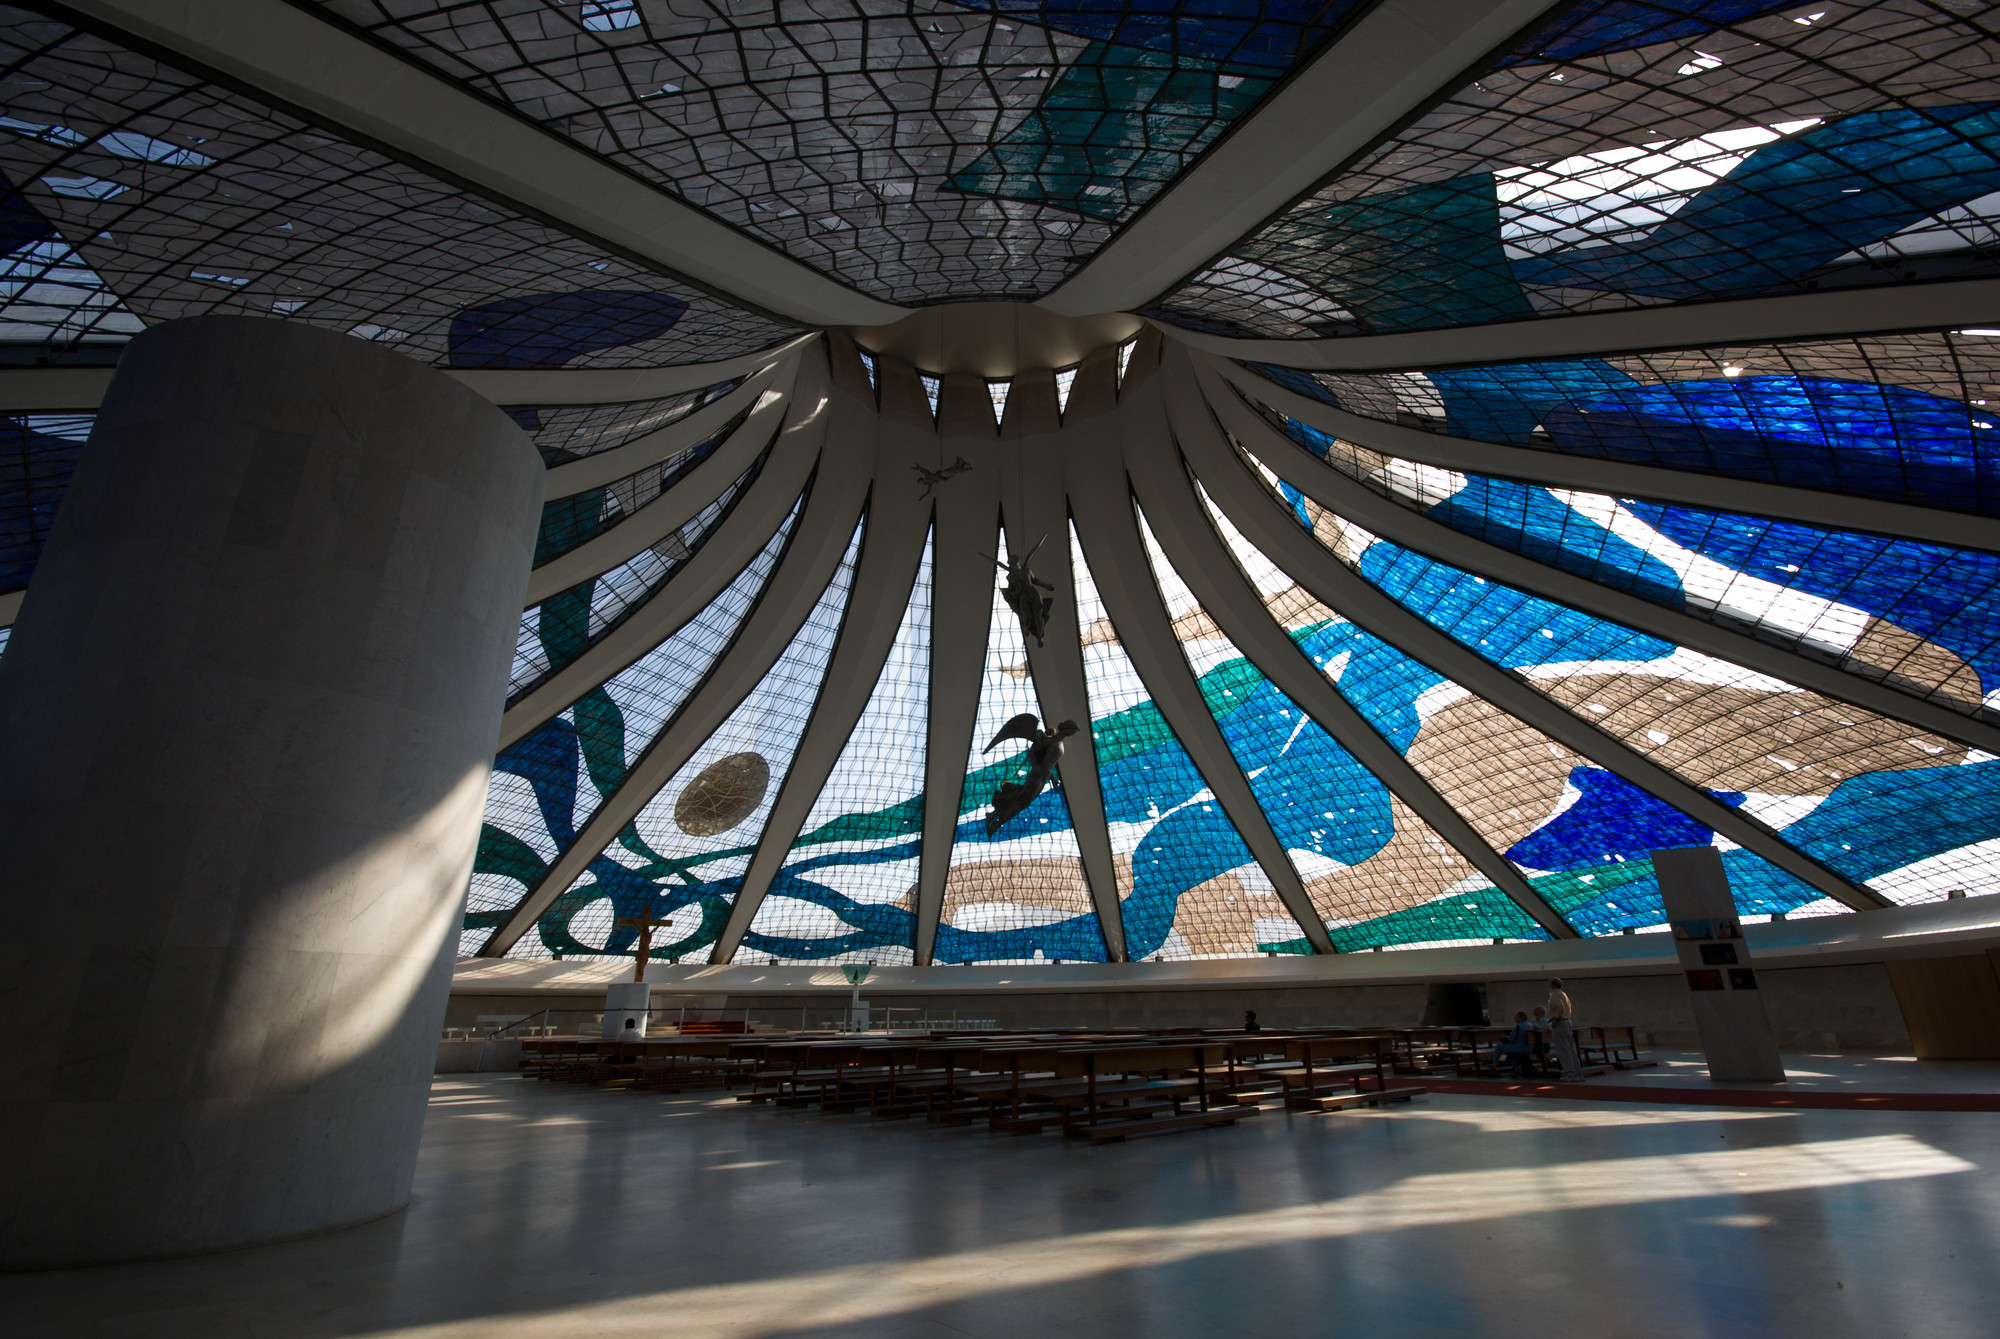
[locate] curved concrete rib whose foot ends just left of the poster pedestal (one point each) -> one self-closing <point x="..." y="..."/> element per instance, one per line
<point x="1205" y="565"/>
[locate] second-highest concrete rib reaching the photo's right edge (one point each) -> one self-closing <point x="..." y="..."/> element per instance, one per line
<point x="1617" y="477"/>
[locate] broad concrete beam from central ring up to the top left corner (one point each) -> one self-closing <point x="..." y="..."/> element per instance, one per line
<point x="305" y="63"/>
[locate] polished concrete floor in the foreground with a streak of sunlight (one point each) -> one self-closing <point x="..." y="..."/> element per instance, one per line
<point x="557" y="1212"/>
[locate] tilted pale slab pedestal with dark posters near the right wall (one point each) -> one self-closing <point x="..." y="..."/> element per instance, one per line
<point x="1729" y="1008"/>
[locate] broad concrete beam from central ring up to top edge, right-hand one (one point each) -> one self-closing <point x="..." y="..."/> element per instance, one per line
<point x="1385" y="69"/>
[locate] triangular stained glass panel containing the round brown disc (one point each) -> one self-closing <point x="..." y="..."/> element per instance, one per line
<point x="689" y="848"/>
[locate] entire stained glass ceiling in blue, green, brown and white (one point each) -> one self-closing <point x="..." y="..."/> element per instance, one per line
<point x="1727" y="591"/>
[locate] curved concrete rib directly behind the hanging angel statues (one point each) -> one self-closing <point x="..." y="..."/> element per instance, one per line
<point x="1033" y="505"/>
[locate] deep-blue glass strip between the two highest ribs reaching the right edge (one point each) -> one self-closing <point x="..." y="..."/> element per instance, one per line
<point x="1905" y="419"/>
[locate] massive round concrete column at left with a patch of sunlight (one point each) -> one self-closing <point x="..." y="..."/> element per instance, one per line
<point x="245" y="728"/>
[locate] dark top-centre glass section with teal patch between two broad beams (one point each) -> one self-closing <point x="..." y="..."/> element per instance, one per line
<point x="945" y="151"/>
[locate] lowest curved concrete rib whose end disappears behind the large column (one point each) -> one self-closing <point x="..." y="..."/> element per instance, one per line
<point x="719" y="563"/>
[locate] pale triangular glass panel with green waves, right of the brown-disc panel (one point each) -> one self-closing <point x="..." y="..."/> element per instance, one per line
<point x="849" y="888"/>
